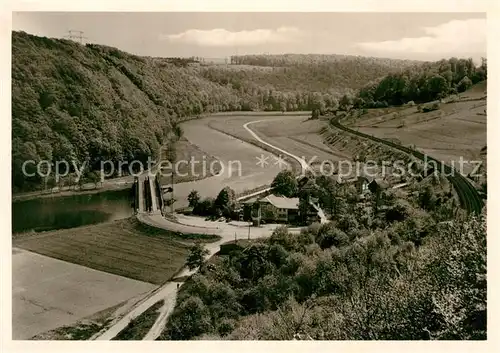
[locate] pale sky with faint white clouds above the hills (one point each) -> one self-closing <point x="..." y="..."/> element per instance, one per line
<point x="419" y="36"/>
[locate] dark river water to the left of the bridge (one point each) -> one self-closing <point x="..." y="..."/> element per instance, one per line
<point x="50" y="213"/>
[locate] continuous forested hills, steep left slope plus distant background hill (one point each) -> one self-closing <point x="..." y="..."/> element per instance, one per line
<point x="73" y="102"/>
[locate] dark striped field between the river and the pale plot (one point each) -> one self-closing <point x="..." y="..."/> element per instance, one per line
<point x="124" y="248"/>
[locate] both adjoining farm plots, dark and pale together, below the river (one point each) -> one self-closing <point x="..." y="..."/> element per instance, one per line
<point x="63" y="276"/>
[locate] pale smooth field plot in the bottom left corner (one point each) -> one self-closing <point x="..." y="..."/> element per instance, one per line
<point x="48" y="294"/>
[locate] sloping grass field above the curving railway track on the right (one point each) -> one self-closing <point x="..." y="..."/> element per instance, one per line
<point x="456" y="130"/>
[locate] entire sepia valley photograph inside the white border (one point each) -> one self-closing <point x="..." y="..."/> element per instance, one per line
<point x="248" y="176"/>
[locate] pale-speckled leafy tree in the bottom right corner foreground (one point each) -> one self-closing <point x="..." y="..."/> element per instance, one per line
<point x="458" y="269"/>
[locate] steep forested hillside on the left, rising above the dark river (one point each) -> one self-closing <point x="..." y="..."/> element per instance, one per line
<point x="72" y="102"/>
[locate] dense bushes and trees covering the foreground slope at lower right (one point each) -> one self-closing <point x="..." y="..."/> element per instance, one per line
<point x="415" y="270"/>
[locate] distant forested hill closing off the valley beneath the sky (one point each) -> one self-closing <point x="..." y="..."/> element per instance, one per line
<point x="299" y="82"/>
